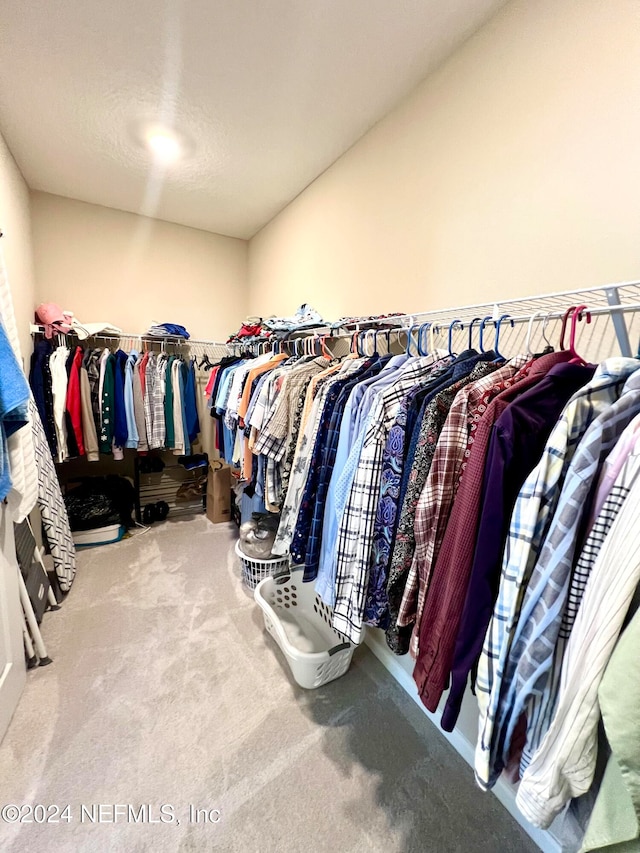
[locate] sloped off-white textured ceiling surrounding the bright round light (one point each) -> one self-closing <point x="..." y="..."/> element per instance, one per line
<point x="268" y="94"/>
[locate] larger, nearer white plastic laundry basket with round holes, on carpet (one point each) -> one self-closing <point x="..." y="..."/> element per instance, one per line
<point x="300" y="623"/>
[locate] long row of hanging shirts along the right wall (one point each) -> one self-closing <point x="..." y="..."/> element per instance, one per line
<point x="478" y="508"/>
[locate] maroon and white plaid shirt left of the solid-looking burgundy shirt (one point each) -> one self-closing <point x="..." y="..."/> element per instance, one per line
<point x="436" y="500"/>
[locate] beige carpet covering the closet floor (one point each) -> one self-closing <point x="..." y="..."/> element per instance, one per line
<point x="165" y="689"/>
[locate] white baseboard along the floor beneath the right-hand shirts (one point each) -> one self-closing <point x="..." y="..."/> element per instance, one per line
<point x="505" y="792"/>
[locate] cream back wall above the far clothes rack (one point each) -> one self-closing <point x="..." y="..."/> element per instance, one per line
<point x="104" y="264"/>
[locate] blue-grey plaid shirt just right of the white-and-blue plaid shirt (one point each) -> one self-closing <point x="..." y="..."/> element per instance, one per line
<point x="532" y="669"/>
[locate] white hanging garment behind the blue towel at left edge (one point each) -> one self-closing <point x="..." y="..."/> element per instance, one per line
<point x="24" y="476"/>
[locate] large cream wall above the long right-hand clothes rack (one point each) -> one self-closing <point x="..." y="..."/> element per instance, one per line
<point x="512" y="170"/>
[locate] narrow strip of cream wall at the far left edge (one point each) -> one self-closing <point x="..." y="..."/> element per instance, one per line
<point x="15" y="223"/>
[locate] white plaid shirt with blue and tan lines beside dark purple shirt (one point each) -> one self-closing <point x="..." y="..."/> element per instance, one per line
<point x="530" y="520"/>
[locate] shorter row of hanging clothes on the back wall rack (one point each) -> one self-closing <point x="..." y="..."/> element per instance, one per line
<point x="99" y="400"/>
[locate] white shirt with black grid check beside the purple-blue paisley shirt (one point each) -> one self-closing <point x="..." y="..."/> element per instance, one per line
<point x="356" y="527"/>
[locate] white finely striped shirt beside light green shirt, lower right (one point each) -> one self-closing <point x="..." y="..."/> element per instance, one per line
<point x="564" y="765"/>
